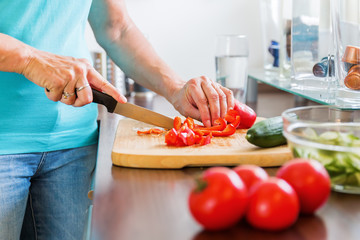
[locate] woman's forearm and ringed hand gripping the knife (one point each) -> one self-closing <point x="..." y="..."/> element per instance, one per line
<point x="57" y="74"/>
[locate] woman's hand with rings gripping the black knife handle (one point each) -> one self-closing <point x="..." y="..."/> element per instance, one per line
<point x="67" y="79"/>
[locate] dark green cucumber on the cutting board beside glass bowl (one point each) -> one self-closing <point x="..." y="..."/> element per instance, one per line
<point x="267" y="133"/>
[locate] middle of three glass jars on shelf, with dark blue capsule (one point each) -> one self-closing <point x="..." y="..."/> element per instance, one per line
<point x="311" y="55"/>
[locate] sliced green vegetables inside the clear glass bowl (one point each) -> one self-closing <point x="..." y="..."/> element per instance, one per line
<point x="343" y="167"/>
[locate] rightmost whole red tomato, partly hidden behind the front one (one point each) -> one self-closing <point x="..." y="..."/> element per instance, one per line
<point x="310" y="180"/>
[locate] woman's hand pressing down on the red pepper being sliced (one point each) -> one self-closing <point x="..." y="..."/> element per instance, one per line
<point x="203" y="99"/>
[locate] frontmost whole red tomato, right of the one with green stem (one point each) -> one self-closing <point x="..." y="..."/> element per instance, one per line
<point x="273" y="205"/>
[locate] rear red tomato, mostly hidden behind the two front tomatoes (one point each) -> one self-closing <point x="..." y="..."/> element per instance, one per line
<point x="251" y="174"/>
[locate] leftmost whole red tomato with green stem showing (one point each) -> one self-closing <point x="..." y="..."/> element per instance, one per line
<point x="220" y="199"/>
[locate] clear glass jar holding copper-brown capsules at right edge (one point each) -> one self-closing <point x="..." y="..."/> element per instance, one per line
<point x="346" y="34"/>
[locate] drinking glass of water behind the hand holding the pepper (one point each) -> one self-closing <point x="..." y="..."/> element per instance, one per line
<point x="231" y="60"/>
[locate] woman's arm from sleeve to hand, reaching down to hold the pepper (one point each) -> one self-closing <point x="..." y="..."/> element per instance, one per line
<point x="114" y="30"/>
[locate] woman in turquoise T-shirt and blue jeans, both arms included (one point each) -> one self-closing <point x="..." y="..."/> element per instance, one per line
<point x="48" y="130"/>
